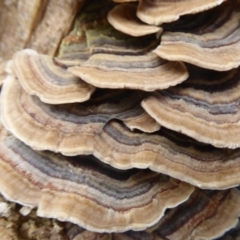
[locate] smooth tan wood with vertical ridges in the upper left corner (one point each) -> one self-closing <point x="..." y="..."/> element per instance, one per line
<point x="37" y="24"/>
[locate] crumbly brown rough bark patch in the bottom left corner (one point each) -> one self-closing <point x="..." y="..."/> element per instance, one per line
<point x="21" y="223"/>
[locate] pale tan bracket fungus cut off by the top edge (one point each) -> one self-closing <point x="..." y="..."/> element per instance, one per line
<point x="160" y="11"/>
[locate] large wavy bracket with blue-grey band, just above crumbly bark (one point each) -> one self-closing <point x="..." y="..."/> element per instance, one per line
<point x="84" y="190"/>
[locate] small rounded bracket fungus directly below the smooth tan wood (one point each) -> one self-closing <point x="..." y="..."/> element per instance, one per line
<point x="40" y="75"/>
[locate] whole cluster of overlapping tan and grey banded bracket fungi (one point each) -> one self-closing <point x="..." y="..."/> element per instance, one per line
<point x="133" y="130"/>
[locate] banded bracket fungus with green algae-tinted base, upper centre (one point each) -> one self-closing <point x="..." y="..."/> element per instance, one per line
<point x="120" y="61"/>
